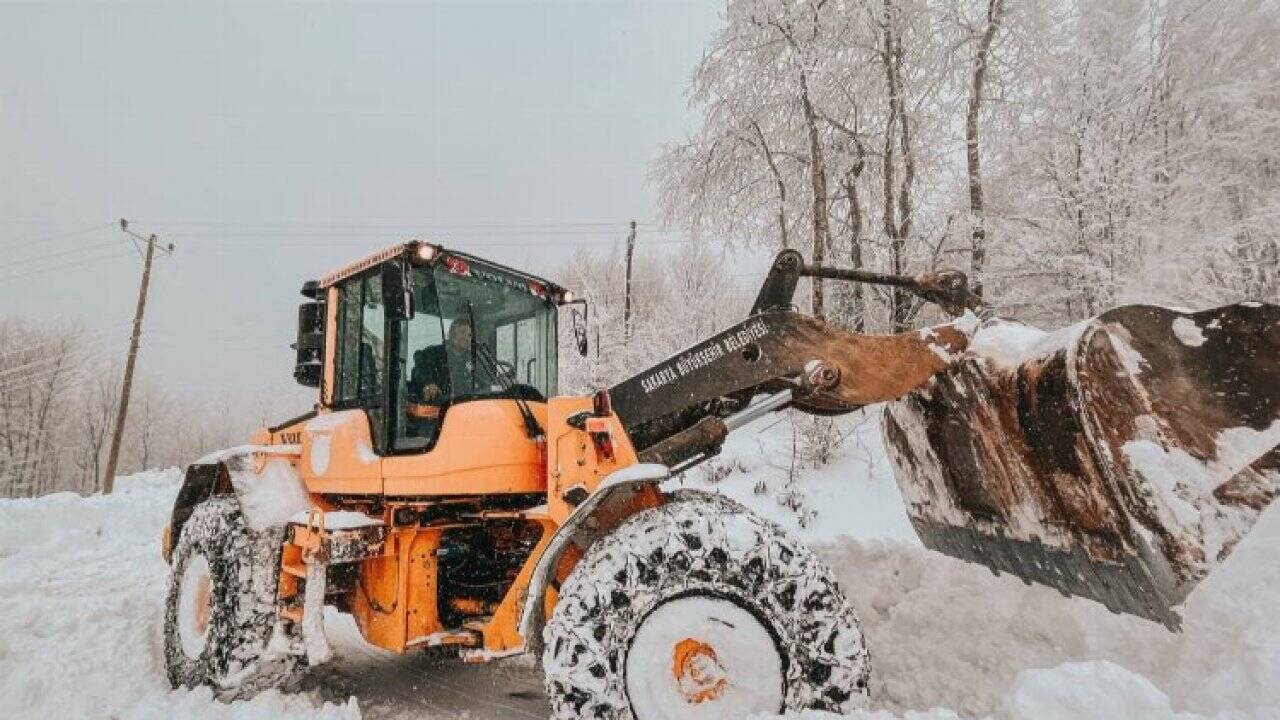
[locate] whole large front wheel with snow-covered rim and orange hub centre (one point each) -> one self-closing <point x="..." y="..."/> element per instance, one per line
<point x="728" y="617"/>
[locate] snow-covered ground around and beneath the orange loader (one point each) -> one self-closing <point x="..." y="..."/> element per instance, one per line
<point x="81" y="586"/>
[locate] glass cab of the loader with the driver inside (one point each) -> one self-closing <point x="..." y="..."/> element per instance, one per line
<point x="419" y="330"/>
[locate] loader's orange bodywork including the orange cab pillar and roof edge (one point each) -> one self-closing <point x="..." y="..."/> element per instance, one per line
<point x="486" y="489"/>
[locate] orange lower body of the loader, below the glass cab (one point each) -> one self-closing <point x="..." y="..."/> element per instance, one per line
<point x="482" y="455"/>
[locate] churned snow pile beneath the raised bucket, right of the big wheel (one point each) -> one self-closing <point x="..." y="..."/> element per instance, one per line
<point x="944" y="634"/>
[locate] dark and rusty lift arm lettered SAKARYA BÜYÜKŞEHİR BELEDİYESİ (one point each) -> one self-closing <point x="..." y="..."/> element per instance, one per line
<point x="674" y="412"/>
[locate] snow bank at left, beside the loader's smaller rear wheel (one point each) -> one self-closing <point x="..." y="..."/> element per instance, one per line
<point x="81" y="595"/>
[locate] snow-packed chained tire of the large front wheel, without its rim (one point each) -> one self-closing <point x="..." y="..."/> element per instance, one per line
<point x="710" y="546"/>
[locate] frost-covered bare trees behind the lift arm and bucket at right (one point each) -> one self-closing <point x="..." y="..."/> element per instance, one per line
<point x="1069" y="156"/>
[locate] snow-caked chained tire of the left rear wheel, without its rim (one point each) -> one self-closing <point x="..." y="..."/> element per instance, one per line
<point x="244" y="567"/>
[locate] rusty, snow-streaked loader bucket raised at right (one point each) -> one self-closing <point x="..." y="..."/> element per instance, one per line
<point x="1121" y="459"/>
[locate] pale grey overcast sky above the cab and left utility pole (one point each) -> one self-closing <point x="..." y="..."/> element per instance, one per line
<point x="273" y="142"/>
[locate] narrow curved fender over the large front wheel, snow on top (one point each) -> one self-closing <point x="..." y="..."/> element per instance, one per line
<point x="579" y="531"/>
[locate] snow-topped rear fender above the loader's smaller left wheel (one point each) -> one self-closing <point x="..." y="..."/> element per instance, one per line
<point x="263" y="480"/>
